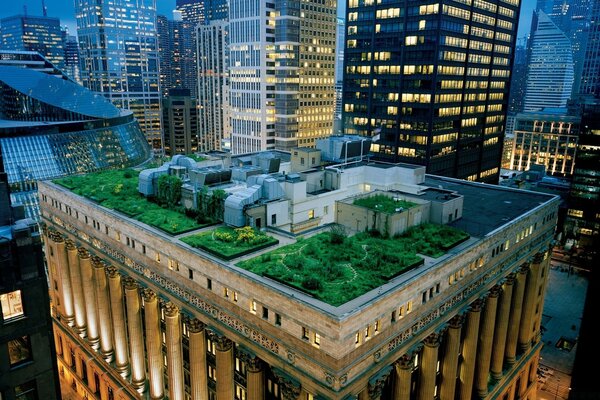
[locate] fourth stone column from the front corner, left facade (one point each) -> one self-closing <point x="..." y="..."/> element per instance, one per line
<point x="199" y="380"/>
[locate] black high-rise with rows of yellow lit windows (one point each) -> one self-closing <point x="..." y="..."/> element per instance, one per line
<point x="433" y="80"/>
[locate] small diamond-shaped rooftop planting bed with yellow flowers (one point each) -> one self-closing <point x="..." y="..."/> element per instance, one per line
<point x="228" y="243"/>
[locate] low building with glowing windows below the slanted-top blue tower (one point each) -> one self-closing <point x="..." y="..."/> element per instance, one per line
<point x="548" y="139"/>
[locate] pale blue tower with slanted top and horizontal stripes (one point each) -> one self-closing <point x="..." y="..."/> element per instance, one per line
<point x="550" y="73"/>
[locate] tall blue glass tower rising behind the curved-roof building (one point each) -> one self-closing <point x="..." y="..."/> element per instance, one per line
<point x="119" y="57"/>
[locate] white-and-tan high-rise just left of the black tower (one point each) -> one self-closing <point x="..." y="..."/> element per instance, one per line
<point x="282" y="67"/>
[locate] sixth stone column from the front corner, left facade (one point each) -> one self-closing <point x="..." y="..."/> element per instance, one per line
<point x="153" y="345"/>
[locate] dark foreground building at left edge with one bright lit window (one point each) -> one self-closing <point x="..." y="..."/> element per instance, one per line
<point x="28" y="367"/>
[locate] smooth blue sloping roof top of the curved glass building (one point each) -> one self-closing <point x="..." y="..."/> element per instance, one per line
<point x="58" y="92"/>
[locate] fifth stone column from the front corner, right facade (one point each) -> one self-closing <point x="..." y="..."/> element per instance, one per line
<point x="469" y="350"/>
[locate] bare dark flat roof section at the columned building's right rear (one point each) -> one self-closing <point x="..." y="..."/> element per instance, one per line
<point x="487" y="207"/>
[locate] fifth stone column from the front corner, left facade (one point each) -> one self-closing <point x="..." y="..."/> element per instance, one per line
<point x="174" y="352"/>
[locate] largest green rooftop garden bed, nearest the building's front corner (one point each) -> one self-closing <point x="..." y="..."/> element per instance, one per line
<point x="335" y="268"/>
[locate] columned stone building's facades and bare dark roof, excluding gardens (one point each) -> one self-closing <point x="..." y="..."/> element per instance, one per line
<point x="139" y="314"/>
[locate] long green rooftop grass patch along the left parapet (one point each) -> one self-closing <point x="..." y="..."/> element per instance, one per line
<point x="118" y="190"/>
